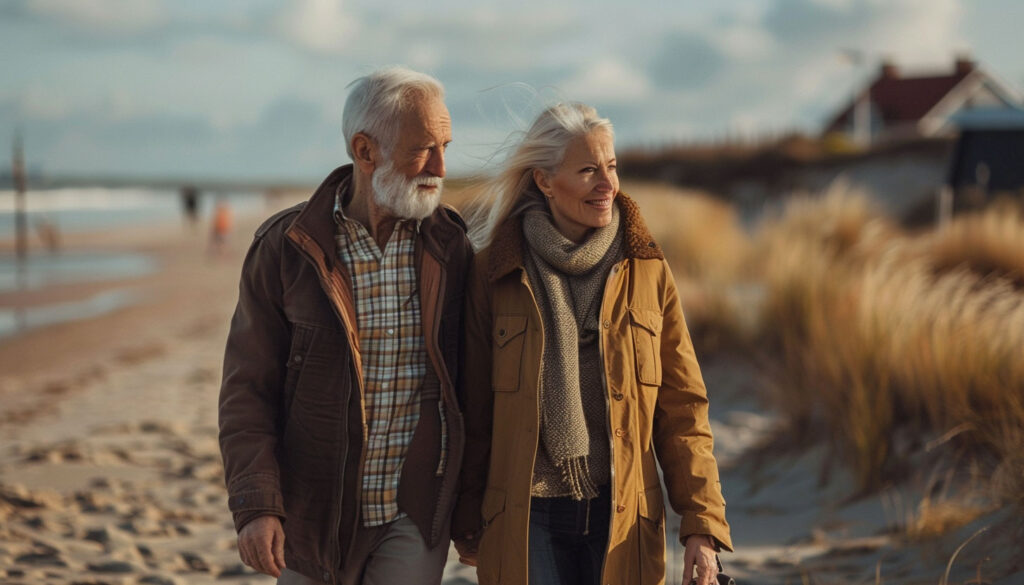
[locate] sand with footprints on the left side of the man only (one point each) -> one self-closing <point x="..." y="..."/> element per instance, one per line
<point x="111" y="471"/>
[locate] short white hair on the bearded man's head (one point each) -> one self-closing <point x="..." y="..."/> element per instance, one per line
<point x="376" y="103"/>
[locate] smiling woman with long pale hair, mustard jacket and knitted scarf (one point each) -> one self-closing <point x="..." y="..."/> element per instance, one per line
<point x="579" y="371"/>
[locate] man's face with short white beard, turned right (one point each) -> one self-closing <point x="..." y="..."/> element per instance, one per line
<point x="409" y="184"/>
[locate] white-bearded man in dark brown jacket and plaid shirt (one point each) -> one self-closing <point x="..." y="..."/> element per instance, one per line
<point x="339" y="425"/>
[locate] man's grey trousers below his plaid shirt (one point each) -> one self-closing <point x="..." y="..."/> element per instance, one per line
<point x="388" y="555"/>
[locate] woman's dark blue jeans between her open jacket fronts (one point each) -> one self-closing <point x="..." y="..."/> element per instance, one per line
<point x="568" y="539"/>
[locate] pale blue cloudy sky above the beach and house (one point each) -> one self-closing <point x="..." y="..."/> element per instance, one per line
<point x="254" y="90"/>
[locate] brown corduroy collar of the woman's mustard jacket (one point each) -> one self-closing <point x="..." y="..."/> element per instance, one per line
<point x="506" y="246"/>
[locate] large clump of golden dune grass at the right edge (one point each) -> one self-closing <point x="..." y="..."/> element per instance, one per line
<point x="876" y="331"/>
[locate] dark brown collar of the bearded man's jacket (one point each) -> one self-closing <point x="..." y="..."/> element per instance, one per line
<point x="439" y="231"/>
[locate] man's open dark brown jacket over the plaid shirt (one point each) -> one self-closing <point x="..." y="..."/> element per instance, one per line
<point x="292" y="420"/>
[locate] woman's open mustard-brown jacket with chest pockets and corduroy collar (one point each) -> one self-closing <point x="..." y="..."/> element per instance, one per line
<point x="657" y="405"/>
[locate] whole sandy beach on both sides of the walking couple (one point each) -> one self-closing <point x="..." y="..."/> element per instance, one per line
<point x="110" y="470"/>
